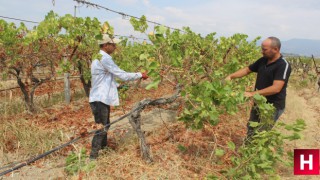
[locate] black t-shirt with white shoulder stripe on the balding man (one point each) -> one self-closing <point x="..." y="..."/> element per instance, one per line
<point x="278" y="70"/>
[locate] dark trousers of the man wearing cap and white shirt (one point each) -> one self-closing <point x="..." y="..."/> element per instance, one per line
<point x="101" y="113"/>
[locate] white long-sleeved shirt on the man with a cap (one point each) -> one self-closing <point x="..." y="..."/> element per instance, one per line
<point x="103" y="83"/>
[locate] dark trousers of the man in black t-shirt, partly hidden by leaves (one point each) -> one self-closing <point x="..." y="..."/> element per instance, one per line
<point x="254" y="117"/>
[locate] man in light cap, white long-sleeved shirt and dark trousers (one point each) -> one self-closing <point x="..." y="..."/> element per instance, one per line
<point x="104" y="92"/>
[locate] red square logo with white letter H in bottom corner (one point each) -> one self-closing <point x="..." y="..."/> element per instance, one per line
<point x="306" y="162"/>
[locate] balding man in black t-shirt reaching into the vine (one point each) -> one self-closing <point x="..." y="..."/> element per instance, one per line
<point x="273" y="73"/>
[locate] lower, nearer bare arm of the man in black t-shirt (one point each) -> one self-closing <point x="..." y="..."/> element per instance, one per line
<point x="271" y="90"/>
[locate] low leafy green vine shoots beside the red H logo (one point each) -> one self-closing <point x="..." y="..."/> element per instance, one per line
<point x="259" y="157"/>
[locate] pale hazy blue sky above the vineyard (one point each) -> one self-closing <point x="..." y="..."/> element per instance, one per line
<point x="285" y="19"/>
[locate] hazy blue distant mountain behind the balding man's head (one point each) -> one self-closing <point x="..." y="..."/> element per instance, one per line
<point x="305" y="47"/>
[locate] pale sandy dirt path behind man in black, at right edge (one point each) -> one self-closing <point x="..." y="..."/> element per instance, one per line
<point x="303" y="104"/>
